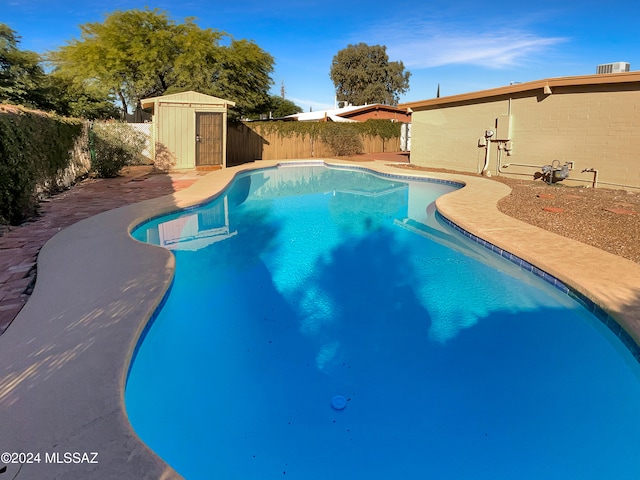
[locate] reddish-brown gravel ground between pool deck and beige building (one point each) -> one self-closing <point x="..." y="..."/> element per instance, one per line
<point x="605" y="218"/>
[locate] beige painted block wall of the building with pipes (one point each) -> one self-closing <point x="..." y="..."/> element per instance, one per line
<point x="594" y="126"/>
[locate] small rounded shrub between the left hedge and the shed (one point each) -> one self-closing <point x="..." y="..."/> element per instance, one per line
<point x="115" y="145"/>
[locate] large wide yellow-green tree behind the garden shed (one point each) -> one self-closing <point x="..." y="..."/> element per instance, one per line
<point x="138" y="54"/>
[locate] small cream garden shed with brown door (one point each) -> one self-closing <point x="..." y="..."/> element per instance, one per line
<point x="189" y="130"/>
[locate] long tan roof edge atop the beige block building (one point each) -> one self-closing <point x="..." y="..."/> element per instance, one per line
<point x="545" y="86"/>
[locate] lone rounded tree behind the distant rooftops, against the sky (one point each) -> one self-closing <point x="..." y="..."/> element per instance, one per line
<point x="363" y="74"/>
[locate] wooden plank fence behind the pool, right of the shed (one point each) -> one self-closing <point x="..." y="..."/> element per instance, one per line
<point x="247" y="144"/>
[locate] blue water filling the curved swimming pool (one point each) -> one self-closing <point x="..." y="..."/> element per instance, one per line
<point x="325" y="323"/>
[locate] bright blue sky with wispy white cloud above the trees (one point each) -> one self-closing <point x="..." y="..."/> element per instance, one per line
<point x="463" y="46"/>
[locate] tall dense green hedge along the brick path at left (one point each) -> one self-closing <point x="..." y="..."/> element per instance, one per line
<point x="35" y="150"/>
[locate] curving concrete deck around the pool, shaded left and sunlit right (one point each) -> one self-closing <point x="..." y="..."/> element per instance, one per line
<point x="64" y="360"/>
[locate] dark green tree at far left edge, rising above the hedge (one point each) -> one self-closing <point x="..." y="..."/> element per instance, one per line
<point x="21" y="76"/>
